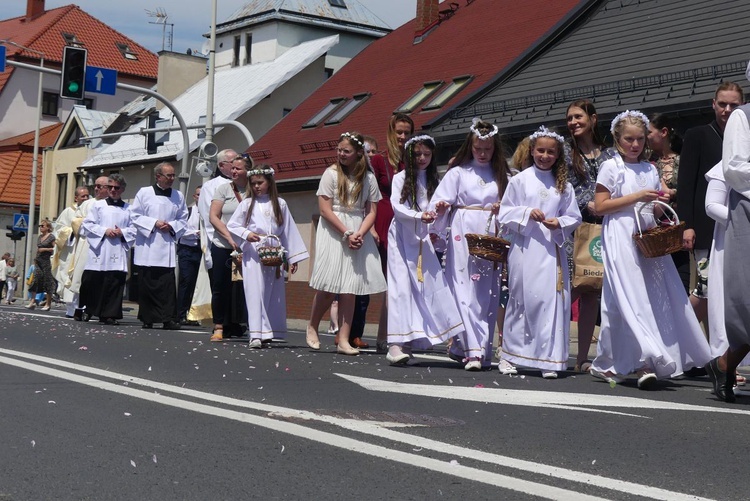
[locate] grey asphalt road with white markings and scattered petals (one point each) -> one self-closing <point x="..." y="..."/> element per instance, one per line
<point x="116" y="412"/>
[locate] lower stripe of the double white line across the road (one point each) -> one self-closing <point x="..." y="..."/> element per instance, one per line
<point x="328" y="439"/>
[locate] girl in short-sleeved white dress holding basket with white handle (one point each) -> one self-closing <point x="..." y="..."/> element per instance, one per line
<point x="648" y="325"/>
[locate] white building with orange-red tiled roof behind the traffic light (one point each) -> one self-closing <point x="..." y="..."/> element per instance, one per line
<point x="48" y="32"/>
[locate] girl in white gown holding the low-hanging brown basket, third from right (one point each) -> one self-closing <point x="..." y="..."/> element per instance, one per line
<point x="472" y="189"/>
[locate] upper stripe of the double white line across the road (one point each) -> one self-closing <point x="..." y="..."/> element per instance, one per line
<point x="626" y="487"/>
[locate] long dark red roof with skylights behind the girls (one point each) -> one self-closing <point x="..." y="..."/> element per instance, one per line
<point x="424" y="68"/>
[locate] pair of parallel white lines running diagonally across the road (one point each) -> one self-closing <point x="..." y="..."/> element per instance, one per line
<point x="365" y="428"/>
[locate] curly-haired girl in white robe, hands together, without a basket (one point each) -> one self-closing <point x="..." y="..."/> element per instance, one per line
<point x="540" y="212"/>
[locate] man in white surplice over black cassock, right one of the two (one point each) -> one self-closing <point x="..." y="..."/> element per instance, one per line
<point x="160" y="215"/>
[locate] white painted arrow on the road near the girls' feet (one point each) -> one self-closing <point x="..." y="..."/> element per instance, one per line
<point x="530" y="398"/>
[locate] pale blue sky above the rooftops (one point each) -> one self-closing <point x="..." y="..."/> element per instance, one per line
<point x="131" y="18"/>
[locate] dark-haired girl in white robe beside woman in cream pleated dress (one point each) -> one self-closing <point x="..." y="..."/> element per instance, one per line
<point x="426" y="313"/>
